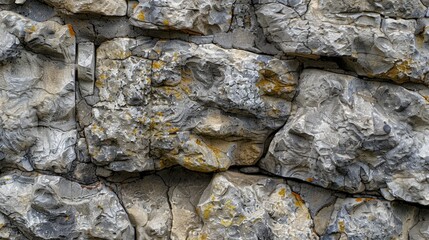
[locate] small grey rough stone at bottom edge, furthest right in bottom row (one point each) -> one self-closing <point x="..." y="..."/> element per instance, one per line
<point x="369" y="218"/>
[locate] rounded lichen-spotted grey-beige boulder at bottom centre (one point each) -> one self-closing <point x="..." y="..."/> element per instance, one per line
<point x="239" y="206"/>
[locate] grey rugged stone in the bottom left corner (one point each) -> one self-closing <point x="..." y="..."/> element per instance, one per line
<point x="50" y="207"/>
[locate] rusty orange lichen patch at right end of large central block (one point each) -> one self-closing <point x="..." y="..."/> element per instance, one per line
<point x="270" y="84"/>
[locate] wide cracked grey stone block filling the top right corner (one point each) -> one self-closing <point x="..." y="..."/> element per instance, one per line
<point x="363" y="33"/>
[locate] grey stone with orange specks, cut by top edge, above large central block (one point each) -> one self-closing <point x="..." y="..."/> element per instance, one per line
<point x="195" y="16"/>
